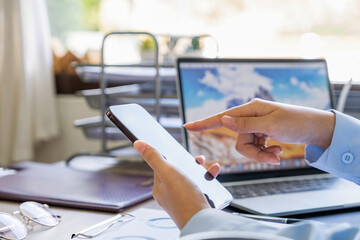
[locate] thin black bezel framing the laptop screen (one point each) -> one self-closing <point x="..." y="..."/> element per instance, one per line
<point x="227" y="177"/>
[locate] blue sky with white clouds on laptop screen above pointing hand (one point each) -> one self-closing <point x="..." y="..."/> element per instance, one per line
<point x="229" y="85"/>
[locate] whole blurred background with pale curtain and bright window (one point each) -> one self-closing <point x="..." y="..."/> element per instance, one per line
<point x="42" y="42"/>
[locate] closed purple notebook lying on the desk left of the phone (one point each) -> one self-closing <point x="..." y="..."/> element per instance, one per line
<point x="65" y="186"/>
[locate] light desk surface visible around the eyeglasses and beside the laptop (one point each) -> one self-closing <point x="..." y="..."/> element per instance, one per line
<point x="74" y="220"/>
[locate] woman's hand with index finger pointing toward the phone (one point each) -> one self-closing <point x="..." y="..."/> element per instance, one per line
<point x="259" y="120"/>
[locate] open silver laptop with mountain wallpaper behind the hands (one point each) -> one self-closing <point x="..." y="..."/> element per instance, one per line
<point x="209" y="86"/>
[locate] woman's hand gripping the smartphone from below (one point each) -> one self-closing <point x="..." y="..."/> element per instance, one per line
<point x="177" y="194"/>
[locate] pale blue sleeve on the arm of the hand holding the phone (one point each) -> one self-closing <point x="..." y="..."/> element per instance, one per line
<point x="208" y="220"/>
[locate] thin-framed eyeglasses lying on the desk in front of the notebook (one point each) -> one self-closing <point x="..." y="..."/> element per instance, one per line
<point x="11" y="228"/>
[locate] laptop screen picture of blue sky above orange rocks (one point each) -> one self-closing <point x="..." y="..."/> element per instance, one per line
<point x="209" y="88"/>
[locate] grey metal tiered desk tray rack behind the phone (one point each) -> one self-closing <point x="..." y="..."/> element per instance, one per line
<point x="156" y="91"/>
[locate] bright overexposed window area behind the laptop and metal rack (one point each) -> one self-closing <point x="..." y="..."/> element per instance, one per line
<point x="242" y="28"/>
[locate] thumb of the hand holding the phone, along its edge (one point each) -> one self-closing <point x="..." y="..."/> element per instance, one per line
<point x="152" y="157"/>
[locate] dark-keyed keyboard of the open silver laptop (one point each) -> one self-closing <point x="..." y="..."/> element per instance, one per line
<point x="270" y="188"/>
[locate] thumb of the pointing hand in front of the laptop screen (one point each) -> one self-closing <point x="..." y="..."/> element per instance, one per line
<point x="245" y="124"/>
